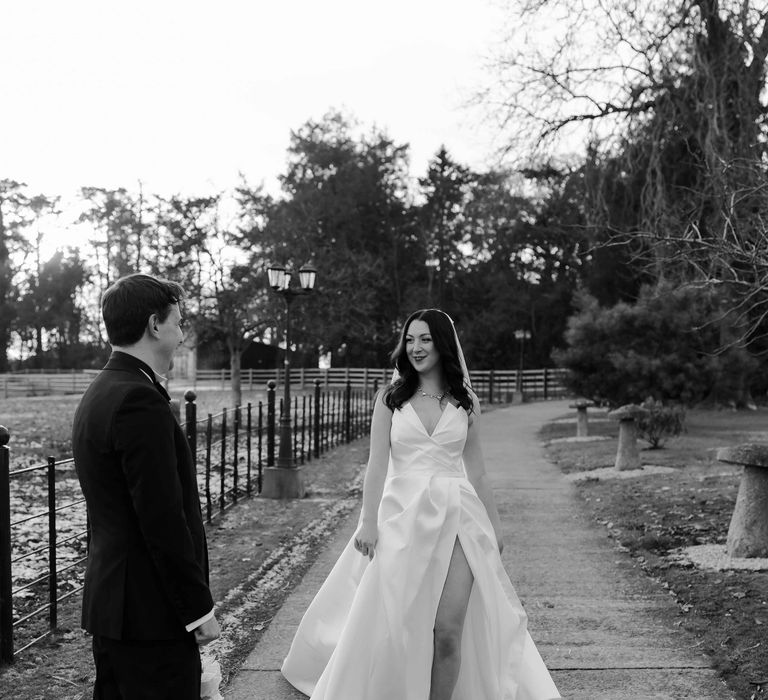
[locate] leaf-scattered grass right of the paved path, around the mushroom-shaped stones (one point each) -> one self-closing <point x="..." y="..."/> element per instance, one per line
<point x="654" y="514"/>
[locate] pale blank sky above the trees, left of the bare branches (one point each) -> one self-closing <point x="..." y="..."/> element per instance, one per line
<point x="185" y="95"/>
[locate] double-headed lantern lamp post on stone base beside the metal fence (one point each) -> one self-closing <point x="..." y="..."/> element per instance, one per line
<point x="284" y="480"/>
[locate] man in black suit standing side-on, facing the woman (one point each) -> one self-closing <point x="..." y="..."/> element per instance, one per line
<point x="146" y="599"/>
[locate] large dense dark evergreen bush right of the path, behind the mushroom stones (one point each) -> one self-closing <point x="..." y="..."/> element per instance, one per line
<point x="664" y="345"/>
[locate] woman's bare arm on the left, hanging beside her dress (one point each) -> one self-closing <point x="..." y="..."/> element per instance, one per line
<point x="375" y="475"/>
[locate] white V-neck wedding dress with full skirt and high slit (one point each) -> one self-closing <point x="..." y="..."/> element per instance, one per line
<point x="367" y="635"/>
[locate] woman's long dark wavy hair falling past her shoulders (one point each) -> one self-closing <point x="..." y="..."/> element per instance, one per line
<point x="444" y="339"/>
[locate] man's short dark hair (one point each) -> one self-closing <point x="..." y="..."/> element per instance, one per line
<point x="128" y="303"/>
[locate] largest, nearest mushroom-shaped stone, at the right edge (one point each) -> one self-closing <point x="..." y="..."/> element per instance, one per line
<point x="748" y="530"/>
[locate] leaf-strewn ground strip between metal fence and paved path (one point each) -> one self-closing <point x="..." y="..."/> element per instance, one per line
<point x="258" y="550"/>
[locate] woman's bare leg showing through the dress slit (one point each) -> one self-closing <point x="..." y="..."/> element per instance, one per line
<point x="449" y="624"/>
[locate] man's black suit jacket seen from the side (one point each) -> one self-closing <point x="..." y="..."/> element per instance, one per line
<point x="147" y="571"/>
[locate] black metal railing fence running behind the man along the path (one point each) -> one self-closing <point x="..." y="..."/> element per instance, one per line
<point x="43" y="539"/>
